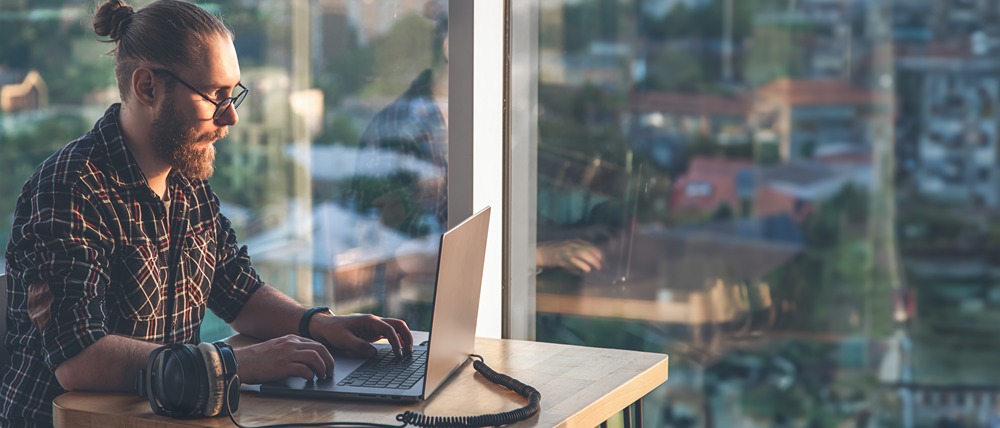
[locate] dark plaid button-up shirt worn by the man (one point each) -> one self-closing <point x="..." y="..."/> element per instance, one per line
<point x="89" y="226"/>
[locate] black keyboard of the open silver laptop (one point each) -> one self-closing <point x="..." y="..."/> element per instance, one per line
<point x="388" y="371"/>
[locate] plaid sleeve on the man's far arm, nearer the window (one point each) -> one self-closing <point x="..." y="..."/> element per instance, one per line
<point x="235" y="279"/>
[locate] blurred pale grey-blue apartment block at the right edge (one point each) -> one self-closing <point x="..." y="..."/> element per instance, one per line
<point x="956" y="122"/>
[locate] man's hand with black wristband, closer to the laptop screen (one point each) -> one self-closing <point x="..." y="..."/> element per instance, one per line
<point x="355" y="333"/>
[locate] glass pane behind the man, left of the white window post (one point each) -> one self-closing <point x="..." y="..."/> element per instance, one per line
<point x="334" y="177"/>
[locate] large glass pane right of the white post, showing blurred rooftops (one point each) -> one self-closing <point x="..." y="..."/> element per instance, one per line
<point x="792" y="198"/>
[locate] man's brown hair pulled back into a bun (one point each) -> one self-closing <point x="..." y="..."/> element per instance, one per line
<point x="165" y="33"/>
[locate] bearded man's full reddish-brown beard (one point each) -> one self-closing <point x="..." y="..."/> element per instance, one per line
<point x="175" y="143"/>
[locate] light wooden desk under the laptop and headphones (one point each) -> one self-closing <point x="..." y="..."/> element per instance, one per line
<point x="580" y="387"/>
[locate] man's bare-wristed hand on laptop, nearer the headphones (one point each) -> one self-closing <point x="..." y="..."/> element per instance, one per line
<point x="284" y="357"/>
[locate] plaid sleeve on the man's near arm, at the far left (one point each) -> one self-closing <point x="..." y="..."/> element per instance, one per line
<point x="60" y="240"/>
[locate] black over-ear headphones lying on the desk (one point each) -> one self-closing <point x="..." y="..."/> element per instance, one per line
<point x="183" y="380"/>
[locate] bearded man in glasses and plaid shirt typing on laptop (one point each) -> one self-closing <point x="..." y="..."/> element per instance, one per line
<point x="118" y="245"/>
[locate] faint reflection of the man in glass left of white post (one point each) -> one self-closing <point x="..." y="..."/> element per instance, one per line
<point x="401" y="178"/>
